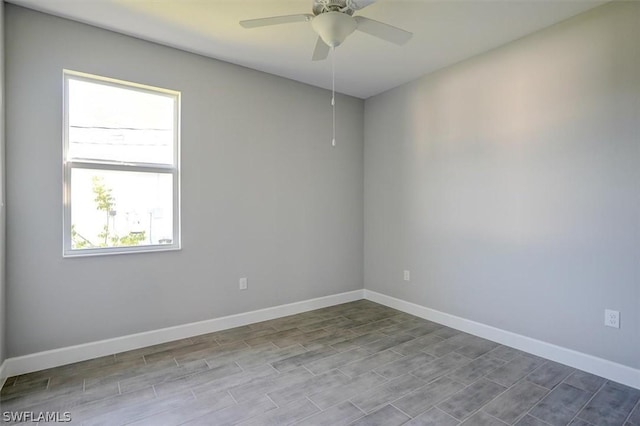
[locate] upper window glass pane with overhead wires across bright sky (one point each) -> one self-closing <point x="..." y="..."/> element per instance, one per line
<point x="119" y="124"/>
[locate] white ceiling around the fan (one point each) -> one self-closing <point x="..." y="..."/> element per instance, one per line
<point x="445" y="32"/>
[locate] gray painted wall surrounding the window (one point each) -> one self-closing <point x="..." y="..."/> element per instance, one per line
<point x="263" y="193"/>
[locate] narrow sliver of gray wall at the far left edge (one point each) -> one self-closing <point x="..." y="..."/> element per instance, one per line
<point x="3" y="304"/>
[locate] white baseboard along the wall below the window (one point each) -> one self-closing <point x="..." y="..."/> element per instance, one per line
<point x="57" y="357"/>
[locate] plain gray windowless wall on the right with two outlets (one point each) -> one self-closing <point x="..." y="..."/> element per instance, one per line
<point x="508" y="185"/>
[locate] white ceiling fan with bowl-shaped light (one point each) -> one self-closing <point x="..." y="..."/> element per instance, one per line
<point x="333" y="20"/>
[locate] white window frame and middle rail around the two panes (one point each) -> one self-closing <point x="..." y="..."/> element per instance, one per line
<point x="95" y="164"/>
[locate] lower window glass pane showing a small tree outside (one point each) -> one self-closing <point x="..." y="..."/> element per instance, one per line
<point x="120" y="209"/>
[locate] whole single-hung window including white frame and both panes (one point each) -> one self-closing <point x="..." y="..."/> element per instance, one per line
<point x="121" y="166"/>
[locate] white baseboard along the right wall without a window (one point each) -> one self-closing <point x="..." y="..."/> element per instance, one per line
<point x="594" y="365"/>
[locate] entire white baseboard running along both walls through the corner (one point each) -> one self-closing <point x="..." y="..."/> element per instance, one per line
<point x="57" y="357"/>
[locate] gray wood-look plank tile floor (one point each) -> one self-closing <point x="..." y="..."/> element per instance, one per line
<point x="358" y="363"/>
